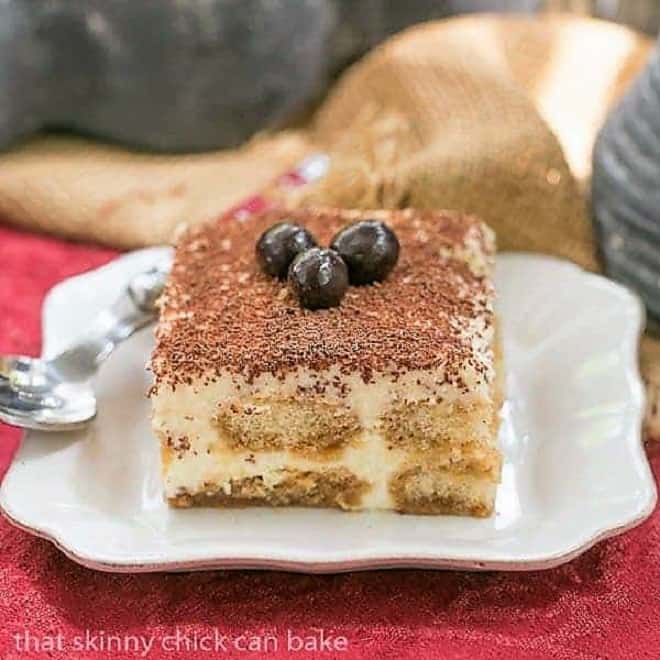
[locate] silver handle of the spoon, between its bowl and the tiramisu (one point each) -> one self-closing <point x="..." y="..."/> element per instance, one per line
<point x="133" y="310"/>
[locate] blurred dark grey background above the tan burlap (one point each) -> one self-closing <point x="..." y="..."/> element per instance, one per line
<point x="197" y="74"/>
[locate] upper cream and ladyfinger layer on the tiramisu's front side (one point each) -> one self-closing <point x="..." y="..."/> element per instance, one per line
<point x="415" y="412"/>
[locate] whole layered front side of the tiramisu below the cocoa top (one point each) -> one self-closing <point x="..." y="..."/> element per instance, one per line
<point x="202" y="464"/>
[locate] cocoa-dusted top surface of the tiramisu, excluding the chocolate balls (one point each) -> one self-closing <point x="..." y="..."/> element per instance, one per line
<point x="221" y="313"/>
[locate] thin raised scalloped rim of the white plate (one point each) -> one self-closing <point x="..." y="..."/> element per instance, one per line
<point x="376" y="560"/>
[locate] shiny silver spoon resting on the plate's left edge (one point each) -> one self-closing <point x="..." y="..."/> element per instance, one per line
<point x="55" y="394"/>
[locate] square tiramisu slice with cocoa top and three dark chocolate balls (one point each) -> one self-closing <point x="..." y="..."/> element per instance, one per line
<point x="387" y="399"/>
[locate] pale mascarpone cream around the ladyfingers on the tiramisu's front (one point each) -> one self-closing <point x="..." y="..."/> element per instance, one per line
<point x="204" y="458"/>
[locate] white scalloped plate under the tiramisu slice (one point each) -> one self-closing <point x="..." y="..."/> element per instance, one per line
<point x="574" y="472"/>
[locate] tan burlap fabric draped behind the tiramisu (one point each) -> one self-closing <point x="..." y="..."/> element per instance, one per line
<point x="496" y="115"/>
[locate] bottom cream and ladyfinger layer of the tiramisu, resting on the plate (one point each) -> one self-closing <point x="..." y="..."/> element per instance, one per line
<point x="369" y="474"/>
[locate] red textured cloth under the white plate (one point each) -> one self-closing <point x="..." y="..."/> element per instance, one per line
<point x="605" y="604"/>
